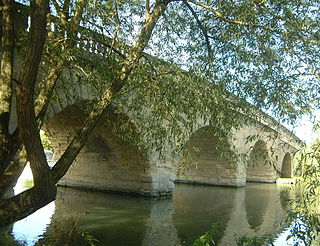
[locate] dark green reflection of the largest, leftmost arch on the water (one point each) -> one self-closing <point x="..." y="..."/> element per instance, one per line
<point x="114" y="220"/>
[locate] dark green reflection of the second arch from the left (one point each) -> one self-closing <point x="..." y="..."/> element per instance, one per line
<point x="197" y="209"/>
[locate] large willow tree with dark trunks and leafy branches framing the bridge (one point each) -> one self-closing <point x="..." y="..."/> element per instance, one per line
<point x="264" y="51"/>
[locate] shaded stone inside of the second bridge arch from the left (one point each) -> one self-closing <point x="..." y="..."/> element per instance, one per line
<point x="204" y="163"/>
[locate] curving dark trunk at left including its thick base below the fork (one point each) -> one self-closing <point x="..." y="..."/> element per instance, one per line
<point x="44" y="190"/>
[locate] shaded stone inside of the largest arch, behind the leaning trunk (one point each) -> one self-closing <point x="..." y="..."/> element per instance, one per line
<point x="106" y="162"/>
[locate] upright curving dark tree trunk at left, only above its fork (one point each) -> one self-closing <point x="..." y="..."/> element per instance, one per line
<point x="28" y="128"/>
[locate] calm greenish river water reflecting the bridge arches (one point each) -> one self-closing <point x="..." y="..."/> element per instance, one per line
<point x="117" y="220"/>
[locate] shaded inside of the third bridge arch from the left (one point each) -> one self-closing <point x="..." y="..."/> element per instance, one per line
<point x="260" y="167"/>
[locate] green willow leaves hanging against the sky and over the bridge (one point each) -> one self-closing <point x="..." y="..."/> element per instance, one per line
<point x="251" y="41"/>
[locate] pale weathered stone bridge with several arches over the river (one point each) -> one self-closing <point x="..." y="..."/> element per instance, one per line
<point x="108" y="163"/>
